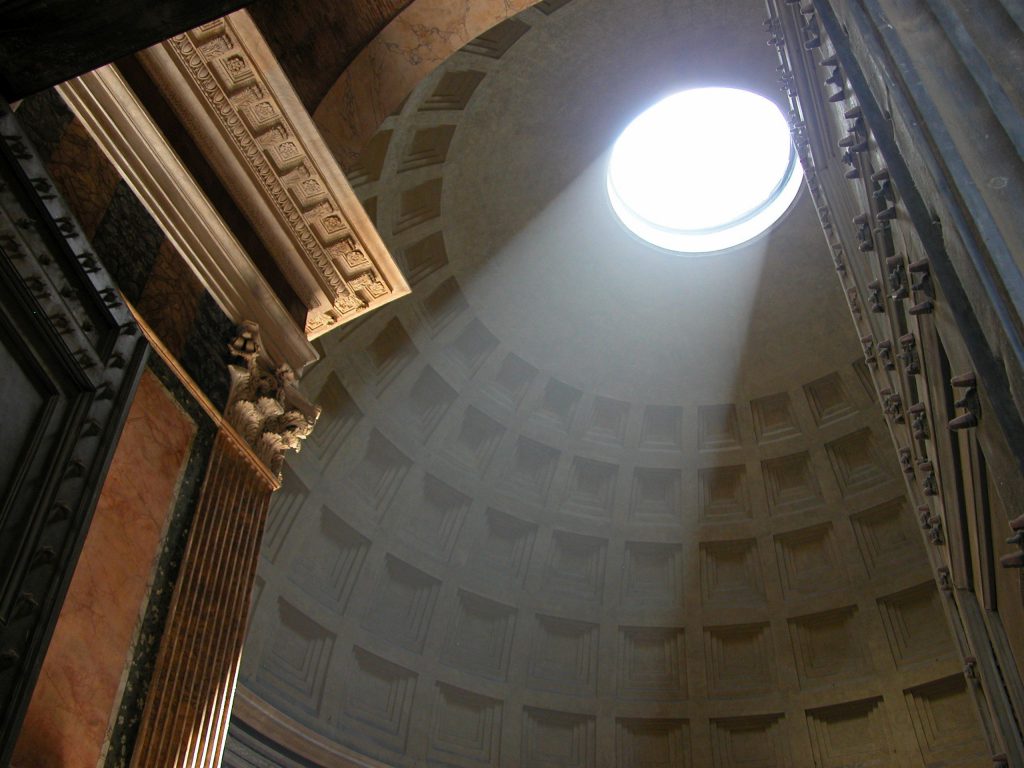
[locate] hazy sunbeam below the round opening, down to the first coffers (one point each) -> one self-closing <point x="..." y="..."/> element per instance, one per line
<point x="611" y="313"/>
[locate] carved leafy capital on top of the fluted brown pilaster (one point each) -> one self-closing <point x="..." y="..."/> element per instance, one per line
<point x="265" y="406"/>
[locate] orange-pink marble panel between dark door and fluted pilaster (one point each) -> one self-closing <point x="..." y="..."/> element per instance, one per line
<point x="80" y="684"/>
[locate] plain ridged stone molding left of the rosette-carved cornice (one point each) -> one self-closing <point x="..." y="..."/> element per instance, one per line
<point x="125" y="133"/>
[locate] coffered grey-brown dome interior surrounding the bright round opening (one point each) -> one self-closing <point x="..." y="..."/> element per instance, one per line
<point x="580" y="502"/>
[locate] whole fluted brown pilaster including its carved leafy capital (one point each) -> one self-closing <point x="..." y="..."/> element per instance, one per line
<point x="189" y="708"/>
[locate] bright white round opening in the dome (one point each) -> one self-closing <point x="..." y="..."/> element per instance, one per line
<point x="704" y="170"/>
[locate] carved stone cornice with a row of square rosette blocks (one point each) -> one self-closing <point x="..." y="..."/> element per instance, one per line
<point x="232" y="95"/>
